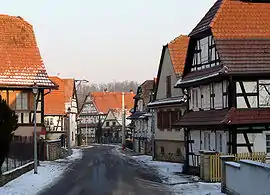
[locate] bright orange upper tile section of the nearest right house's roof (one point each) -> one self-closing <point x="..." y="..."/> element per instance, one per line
<point x="238" y="19"/>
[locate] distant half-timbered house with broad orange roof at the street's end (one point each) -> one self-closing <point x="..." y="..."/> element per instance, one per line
<point x="96" y="107"/>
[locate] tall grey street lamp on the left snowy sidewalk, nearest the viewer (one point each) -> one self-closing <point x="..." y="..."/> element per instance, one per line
<point x="35" y="92"/>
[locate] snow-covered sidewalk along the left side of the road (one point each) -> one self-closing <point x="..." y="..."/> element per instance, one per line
<point x="48" y="173"/>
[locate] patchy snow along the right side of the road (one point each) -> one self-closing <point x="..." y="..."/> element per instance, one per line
<point x="179" y="184"/>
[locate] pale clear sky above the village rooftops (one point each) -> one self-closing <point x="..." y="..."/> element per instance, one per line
<point x="106" y="40"/>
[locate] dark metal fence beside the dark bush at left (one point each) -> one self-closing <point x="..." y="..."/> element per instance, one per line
<point x="21" y="153"/>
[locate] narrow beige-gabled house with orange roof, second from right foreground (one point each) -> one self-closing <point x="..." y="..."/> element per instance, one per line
<point x="168" y="102"/>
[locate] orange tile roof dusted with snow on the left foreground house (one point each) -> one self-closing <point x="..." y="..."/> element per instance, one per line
<point x="20" y="60"/>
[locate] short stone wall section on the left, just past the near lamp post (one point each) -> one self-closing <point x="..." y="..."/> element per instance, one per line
<point x="53" y="149"/>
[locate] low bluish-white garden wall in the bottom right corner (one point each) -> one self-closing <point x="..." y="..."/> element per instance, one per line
<point x="256" y="177"/>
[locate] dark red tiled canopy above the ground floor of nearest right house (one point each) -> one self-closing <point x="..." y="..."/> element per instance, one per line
<point x="223" y="118"/>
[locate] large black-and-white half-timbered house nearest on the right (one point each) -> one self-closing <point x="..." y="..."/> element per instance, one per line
<point x="227" y="79"/>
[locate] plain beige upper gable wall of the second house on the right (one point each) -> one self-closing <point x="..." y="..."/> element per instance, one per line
<point x="167" y="69"/>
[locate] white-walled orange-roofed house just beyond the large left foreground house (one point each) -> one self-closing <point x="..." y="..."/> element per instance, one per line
<point x="57" y="113"/>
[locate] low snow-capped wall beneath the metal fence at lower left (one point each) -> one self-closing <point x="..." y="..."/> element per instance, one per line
<point x="10" y="175"/>
